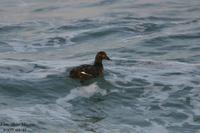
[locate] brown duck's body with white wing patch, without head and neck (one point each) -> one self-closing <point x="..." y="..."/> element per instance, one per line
<point x="85" y="72"/>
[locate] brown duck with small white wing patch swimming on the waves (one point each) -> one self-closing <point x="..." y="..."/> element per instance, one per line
<point x="88" y="71"/>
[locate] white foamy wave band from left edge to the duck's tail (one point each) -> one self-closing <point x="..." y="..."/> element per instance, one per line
<point x="23" y="69"/>
